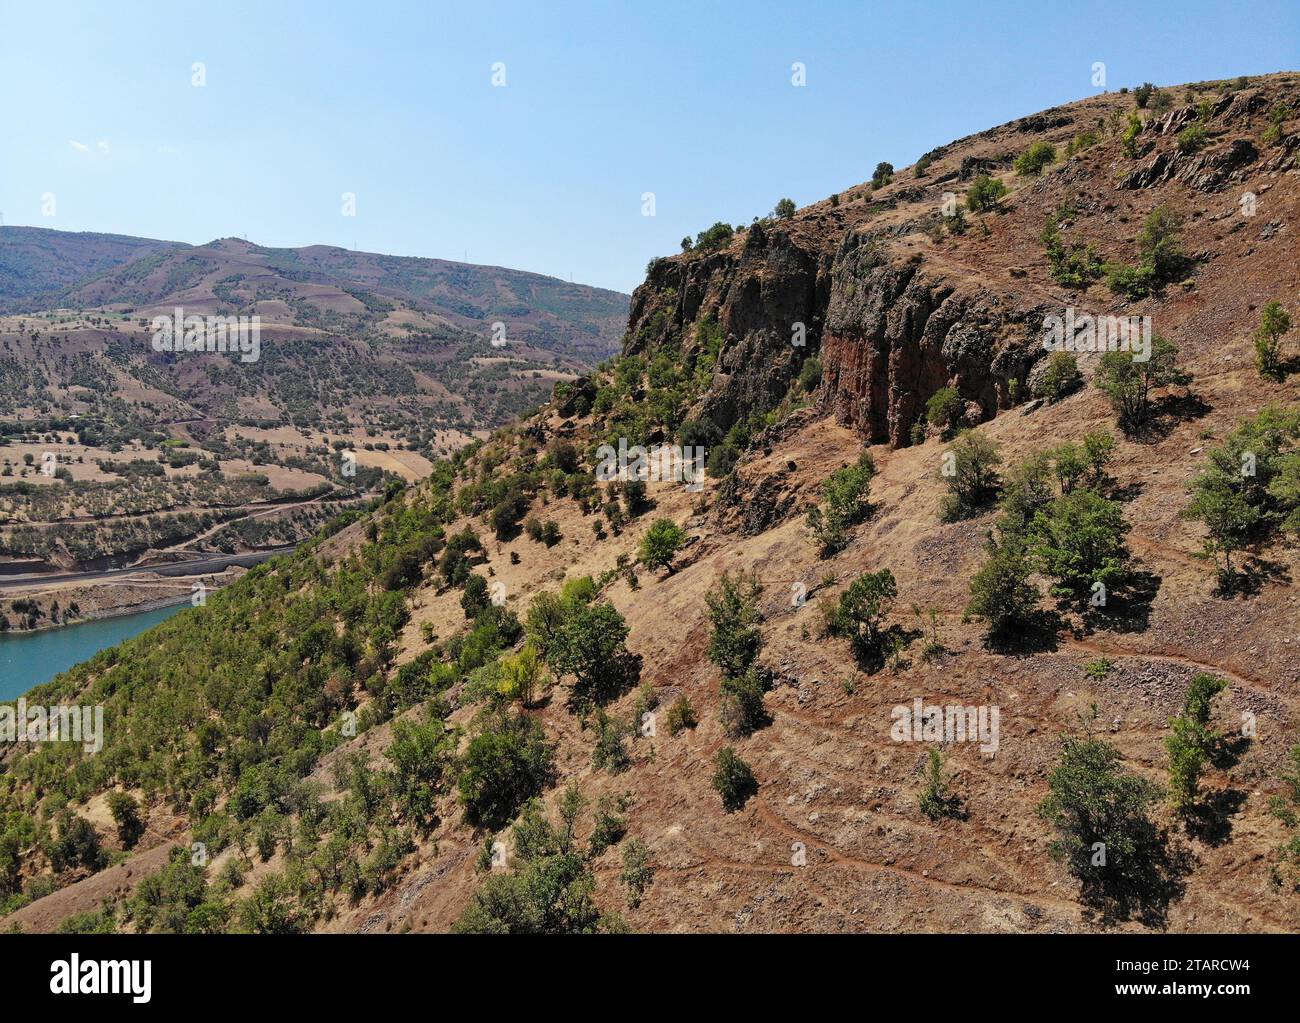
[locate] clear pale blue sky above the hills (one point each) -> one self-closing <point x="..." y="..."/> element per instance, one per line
<point x="395" y="103"/>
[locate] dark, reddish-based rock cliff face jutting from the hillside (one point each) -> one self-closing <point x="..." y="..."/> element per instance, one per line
<point x="890" y="332"/>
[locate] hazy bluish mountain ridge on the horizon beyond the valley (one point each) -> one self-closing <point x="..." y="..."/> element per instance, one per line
<point x="314" y="287"/>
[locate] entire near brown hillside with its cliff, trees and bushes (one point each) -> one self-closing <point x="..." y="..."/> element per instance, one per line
<point x="349" y="731"/>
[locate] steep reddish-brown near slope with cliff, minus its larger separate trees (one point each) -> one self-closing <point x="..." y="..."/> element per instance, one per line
<point x="896" y="306"/>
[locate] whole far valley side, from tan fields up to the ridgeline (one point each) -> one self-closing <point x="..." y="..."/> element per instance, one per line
<point x="391" y="358"/>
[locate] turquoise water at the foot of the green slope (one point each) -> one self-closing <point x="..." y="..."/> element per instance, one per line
<point x="33" y="658"/>
